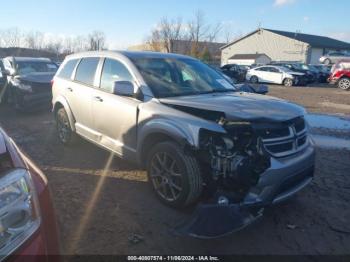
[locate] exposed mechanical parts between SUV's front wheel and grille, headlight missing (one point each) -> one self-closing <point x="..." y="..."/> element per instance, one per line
<point x="236" y="159"/>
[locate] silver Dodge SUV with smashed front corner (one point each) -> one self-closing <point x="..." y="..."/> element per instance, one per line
<point x="187" y="125"/>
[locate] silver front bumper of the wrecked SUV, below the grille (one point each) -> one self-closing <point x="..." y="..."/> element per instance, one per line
<point x="283" y="179"/>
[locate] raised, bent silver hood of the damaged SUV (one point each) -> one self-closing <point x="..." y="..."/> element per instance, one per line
<point x="241" y="106"/>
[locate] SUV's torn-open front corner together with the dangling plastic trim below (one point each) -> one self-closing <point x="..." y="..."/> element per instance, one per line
<point x="232" y="164"/>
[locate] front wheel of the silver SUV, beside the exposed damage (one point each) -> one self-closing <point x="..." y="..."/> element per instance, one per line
<point x="174" y="176"/>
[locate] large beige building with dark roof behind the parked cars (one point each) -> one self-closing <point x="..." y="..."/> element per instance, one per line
<point x="283" y="46"/>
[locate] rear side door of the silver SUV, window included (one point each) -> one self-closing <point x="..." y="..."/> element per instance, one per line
<point x="79" y="93"/>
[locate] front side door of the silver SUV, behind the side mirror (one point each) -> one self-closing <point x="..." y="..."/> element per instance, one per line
<point x="115" y="117"/>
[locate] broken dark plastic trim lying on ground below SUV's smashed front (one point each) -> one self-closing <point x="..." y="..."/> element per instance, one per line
<point x="215" y="220"/>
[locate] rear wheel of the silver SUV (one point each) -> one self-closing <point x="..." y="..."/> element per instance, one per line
<point x="65" y="132"/>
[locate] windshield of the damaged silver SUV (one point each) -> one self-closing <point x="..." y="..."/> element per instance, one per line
<point x="179" y="77"/>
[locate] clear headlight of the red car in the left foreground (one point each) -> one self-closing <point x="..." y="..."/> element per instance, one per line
<point x="19" y="207"/>
